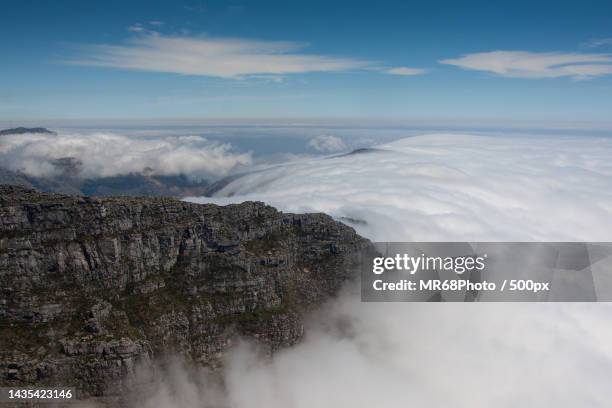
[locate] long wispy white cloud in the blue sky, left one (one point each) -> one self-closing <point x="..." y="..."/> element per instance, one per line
<point x="216" y="57"/>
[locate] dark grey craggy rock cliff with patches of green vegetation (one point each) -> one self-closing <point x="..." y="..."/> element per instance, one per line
<point x="90" y="287"/>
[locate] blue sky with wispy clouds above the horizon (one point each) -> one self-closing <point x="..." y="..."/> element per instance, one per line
<point x="516" y="60"/>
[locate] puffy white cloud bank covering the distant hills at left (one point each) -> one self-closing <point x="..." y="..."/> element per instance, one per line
<point x="108" y="154"/>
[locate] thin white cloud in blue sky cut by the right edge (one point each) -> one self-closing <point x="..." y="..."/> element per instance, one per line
<point x="524" y="64"/>
